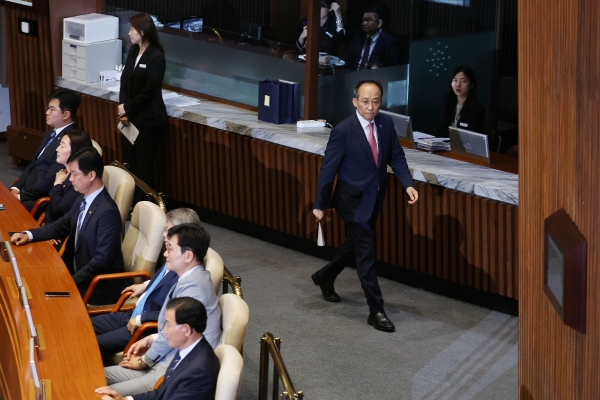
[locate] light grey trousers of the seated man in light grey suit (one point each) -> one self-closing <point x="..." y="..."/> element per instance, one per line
<point x="129" y="382"/>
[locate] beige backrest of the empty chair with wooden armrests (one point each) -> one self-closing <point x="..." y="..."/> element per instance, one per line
<point x="143" y="241"/>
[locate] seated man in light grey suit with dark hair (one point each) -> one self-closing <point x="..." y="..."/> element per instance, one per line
<point x="147" y="359"/>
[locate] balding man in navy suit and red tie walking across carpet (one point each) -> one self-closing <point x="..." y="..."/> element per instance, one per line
<point x="358" y="153"/>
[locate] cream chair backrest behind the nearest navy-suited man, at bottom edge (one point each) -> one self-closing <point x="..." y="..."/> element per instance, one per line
<point x="229" y="380"/>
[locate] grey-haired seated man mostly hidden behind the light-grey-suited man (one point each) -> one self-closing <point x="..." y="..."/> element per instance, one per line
<point x="114" y="330"/>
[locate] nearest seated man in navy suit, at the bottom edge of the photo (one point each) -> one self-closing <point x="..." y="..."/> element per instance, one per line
<point x="193" y="372"/>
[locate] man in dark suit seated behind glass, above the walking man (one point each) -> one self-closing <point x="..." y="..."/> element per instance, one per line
<point x="372" y="46"/>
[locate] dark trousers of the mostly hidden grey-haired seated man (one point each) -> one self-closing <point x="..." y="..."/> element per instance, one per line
<point x="111" y="331"/>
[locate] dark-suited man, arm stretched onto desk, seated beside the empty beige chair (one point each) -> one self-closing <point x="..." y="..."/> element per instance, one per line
<point x="94" y="229"/>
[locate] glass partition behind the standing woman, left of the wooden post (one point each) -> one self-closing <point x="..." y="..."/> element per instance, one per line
<point x="218" y="63"/>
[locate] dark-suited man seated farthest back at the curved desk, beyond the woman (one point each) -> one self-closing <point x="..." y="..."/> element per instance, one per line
<point x="38" y="177"/>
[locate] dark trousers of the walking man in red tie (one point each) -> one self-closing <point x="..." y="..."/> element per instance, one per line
<point x="359" y="243"/>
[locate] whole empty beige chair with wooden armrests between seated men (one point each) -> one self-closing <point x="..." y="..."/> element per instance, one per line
<point x="141" y="248"/>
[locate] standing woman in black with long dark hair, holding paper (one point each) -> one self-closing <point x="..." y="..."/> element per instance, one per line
<point x="140" y="97"/>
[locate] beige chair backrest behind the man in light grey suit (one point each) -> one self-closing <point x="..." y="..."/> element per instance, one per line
<point x="234" y="320"/>
